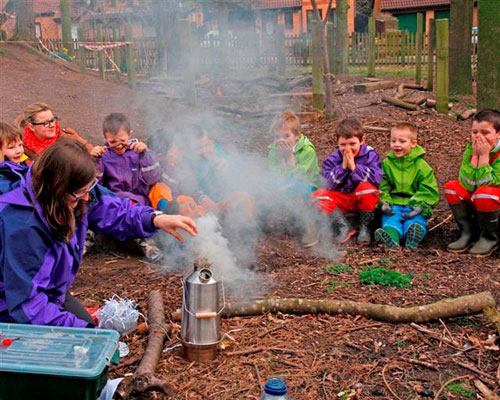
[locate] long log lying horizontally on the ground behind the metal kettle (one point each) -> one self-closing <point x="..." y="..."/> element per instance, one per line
<point x="447" y="308"/>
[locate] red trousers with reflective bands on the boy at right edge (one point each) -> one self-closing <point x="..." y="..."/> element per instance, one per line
<point x="484" y="199"/>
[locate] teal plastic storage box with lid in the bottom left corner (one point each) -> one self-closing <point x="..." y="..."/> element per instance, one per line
<point x="56" y="363"/>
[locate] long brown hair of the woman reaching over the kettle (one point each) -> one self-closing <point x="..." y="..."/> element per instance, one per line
<point x="64" y="167"/>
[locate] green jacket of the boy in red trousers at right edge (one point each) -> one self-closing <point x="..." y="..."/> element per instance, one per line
<point x="472" y="177"/>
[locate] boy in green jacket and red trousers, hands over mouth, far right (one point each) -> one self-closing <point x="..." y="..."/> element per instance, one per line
<point x="474" y="198"/>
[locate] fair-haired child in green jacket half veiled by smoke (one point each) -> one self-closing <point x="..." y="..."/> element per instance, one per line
<point x="293" y="157"/>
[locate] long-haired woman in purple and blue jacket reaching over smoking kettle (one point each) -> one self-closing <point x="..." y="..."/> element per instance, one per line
<point x="42" y="233"/>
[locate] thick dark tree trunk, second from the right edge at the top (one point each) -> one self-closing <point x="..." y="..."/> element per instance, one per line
<point x="460" y="46"/>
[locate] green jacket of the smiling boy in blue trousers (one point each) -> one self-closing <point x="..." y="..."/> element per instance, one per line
<point x="409" y="180"/>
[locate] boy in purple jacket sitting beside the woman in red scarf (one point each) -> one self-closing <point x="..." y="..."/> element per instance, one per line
<point x="128" y="168"/>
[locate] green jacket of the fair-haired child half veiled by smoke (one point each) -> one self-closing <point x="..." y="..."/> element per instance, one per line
<point x="306" y="161"/>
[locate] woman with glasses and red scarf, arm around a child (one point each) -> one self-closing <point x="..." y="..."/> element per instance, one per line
<point x="41" y="129"/>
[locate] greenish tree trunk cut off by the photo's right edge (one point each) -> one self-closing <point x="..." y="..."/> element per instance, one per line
<point x="488" y="74"/>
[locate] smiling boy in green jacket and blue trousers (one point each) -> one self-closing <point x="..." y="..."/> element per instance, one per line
<point x="408" y="191"/>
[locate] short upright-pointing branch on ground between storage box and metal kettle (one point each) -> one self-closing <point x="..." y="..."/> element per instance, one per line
<point x="143" y="379"/>
